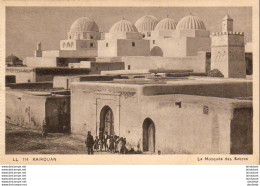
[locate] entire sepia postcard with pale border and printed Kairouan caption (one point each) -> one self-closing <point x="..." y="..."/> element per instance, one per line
<point x="109" y="82"/>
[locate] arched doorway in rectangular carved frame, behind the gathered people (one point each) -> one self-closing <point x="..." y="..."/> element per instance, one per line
<point x="106" y="121"/>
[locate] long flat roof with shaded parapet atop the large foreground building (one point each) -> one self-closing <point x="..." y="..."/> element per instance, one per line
<point x="209" y="87"/>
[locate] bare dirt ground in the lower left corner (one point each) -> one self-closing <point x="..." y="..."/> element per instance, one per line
<point x="27" y="141"/>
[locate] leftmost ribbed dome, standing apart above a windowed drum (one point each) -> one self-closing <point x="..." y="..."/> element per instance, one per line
<point x="84" y="24"/>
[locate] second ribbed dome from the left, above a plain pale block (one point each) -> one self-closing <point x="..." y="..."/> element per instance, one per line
<point x="123" y="26"/>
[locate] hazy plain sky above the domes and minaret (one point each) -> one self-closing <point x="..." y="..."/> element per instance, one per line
<point x="25" y="27"/>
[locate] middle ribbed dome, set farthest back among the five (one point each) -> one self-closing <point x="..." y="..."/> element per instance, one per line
<point x="146" y="23"/>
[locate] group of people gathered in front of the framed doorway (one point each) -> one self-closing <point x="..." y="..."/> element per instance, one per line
<point x="106" y="143"/>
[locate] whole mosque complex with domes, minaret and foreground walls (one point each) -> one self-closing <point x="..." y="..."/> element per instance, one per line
<point x="145" y="88"/>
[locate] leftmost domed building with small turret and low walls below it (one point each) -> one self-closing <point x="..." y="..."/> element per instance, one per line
<point x="79" y="50"/>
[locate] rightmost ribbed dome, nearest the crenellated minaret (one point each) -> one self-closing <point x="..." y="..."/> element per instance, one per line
<point x="191" y="22"/>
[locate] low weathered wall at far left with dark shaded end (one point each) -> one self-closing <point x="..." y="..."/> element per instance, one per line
<point x="31" y="111"/>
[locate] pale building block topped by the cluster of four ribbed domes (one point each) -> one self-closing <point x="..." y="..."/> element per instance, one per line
<point x="170" y="45"/>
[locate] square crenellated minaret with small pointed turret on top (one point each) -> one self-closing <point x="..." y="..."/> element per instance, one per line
<point x="228" y="51"/>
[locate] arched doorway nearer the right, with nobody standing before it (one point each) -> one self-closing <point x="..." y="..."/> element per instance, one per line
<point x="148" y="135"/>
